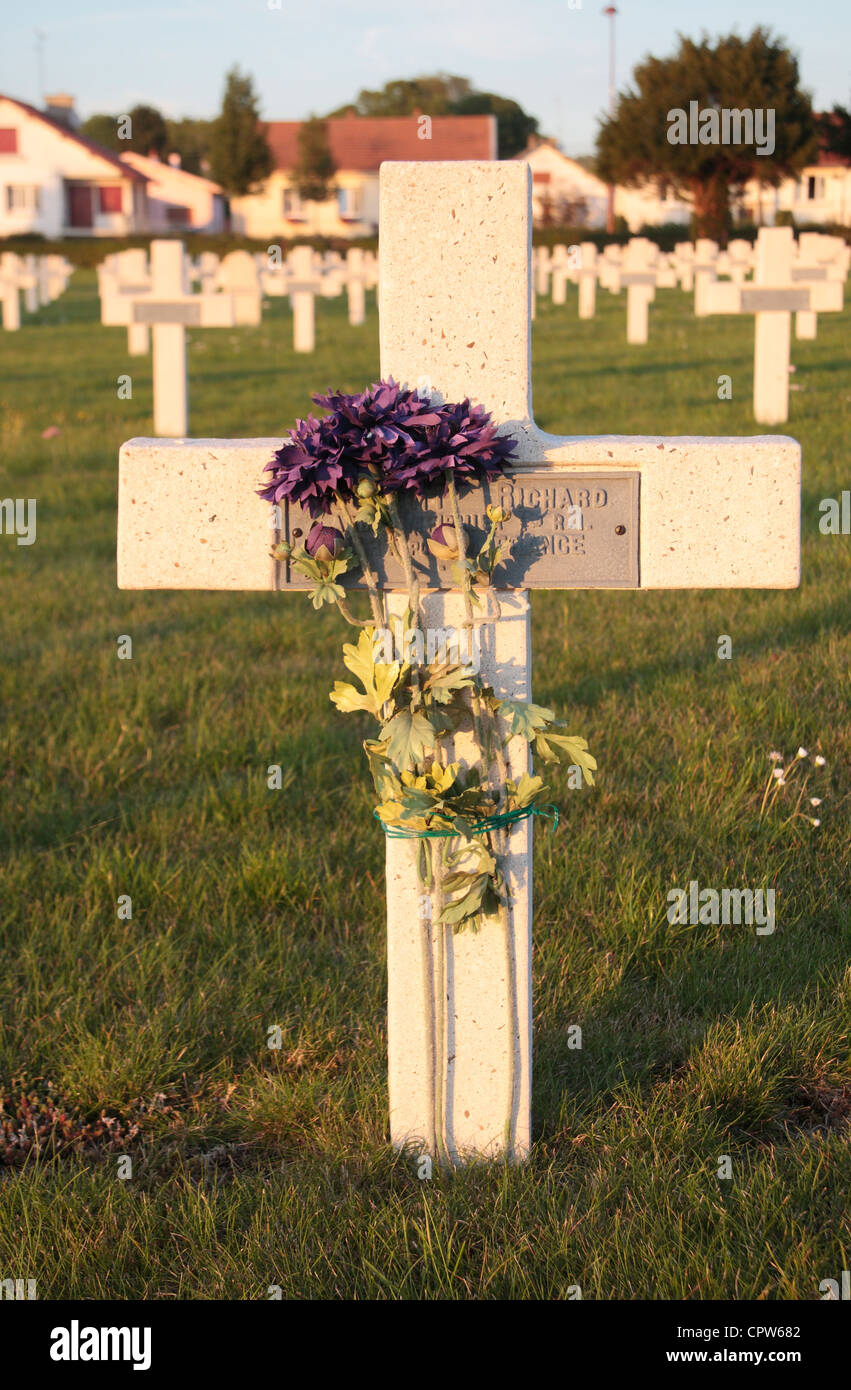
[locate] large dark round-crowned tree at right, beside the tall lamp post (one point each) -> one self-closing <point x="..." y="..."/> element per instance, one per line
<point x="703" y="81"/>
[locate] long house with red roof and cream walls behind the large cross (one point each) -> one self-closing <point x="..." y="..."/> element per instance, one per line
<point x="359" y="145"/>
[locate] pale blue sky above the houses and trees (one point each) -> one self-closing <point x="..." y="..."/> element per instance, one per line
<point x="551" y="56"/>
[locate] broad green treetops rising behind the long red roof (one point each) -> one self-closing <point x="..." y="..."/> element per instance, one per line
<point x="447" y="95"/>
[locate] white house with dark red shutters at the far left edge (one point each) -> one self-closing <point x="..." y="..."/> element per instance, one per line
<point x="56" y="183"/>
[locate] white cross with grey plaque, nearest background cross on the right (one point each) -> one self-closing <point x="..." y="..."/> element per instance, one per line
<point x="774" y="297"/>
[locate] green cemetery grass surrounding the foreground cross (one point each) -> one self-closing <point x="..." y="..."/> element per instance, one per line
<point x="254" y="908"/>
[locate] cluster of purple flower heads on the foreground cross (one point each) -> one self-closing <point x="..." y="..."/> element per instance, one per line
<point x="389" y="436"/>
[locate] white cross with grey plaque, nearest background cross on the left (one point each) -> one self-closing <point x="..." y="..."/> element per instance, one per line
<point x="170" y="309"/>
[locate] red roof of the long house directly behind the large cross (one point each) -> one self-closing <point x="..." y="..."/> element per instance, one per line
<point x="364" y="142"/>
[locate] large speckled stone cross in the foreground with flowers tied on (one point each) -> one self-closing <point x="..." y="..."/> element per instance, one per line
<point x="656" y="514"/>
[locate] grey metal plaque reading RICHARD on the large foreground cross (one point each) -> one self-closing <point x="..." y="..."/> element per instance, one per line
<point x="569" y="532"/>
